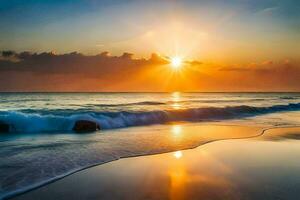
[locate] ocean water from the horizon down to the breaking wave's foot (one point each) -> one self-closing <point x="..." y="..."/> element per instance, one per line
<point x="57" y="112"/>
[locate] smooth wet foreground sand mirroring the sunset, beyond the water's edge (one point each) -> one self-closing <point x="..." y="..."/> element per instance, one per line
<point x="260" y="167"/>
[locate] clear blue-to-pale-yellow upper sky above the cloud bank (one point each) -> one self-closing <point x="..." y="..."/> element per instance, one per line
<point x="92" y="26"/>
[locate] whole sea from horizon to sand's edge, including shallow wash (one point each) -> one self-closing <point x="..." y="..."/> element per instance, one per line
<point x="41" y="146"/>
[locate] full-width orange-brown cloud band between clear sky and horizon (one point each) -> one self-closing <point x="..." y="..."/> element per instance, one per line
<point x="74" y="71"/>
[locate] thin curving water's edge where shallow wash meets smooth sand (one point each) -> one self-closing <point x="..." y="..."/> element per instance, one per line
<point x="48" y="182"/>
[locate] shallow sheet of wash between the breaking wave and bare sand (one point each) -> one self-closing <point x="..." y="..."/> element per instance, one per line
<point x="39" y="160"/>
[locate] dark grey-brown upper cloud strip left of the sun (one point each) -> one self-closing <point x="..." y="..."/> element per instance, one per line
<point x="73" y="63"/>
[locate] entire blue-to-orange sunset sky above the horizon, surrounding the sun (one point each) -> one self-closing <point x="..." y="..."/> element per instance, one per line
<point x="233" y="45"/>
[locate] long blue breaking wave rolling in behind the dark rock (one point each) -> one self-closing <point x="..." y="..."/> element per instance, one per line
<point x="28" y="122"/>
